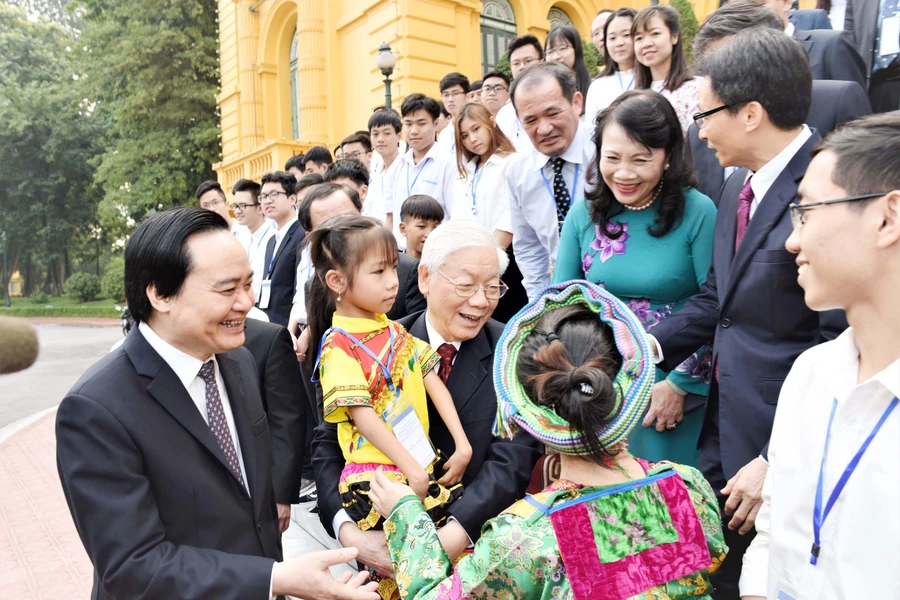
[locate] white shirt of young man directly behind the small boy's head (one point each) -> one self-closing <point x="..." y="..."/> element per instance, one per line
<point x="432" y="176"/>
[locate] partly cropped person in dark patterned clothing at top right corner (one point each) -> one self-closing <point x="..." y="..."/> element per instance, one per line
<point x="864" y="23"/>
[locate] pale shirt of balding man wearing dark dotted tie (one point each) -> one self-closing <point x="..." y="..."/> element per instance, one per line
<point x="533" y="210"/>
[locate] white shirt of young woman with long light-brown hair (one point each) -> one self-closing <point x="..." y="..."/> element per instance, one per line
<point x="483" y="195"/>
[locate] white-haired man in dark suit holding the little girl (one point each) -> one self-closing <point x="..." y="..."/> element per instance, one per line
<point x="459" y="327"/>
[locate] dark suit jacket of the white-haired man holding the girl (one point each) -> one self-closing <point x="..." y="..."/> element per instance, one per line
<point x="500" y="468"/>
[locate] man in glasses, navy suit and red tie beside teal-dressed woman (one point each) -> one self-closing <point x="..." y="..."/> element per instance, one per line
<point x="751" y="305"/>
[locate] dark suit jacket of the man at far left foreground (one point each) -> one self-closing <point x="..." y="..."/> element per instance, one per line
<point x="156" y="506"/>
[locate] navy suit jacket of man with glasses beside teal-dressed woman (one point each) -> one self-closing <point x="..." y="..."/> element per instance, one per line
<point x="754" y="310"/>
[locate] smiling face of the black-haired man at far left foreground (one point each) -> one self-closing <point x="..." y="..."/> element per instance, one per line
<point x="207" y="316"/>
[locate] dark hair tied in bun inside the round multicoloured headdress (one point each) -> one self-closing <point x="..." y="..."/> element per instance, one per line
<point x="569" y="362"/>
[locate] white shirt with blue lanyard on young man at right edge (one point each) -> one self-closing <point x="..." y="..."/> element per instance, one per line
<point x="860" y="539"/>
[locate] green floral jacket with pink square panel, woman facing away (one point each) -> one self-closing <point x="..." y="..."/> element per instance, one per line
<point x="657" y="538"/>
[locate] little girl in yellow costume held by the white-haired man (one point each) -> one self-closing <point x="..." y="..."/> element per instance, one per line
<point x="375" y="375"/>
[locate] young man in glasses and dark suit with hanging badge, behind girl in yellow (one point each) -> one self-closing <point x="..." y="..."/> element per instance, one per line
<point x="283" y="250"/>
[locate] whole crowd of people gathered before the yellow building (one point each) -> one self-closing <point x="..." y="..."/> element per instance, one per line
<point x="547" y="336"/>
